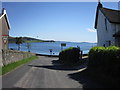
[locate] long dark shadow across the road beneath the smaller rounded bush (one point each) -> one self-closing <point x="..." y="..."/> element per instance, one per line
<point x="56" y="65"/>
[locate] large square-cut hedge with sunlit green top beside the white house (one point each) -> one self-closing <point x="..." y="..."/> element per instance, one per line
<point x="105" y="60"/>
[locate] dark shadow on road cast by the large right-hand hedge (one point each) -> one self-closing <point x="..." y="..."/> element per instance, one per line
<point x="86" y="80"/>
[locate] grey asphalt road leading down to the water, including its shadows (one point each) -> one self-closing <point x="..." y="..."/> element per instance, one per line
<point x="45" y="72"/>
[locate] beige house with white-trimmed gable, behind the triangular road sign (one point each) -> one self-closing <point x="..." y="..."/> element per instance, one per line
<point x="4" y="32"/>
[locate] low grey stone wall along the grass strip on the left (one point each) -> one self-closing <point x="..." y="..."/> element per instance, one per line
<point x="10" y="56"/>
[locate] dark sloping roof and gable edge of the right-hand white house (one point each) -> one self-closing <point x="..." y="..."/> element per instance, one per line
<point x="113" y="16"/>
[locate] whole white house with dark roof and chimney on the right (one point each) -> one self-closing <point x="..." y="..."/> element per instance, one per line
<point x="107" y="23"/>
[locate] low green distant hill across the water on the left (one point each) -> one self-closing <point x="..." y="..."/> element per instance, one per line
<point x="28" y="40"/>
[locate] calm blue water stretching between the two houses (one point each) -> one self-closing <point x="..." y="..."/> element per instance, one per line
<point x="43" y="47"/>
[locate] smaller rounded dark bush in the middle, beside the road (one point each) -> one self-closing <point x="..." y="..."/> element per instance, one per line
<point x="69" y="56"/>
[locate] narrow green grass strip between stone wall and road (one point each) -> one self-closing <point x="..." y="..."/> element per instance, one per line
<point x="12" y="66"/>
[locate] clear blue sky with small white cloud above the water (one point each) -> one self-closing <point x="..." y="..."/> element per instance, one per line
<point x="59" y="21"/>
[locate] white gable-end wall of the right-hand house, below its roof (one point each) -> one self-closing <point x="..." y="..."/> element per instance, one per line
<point x="104" y="35"/>
